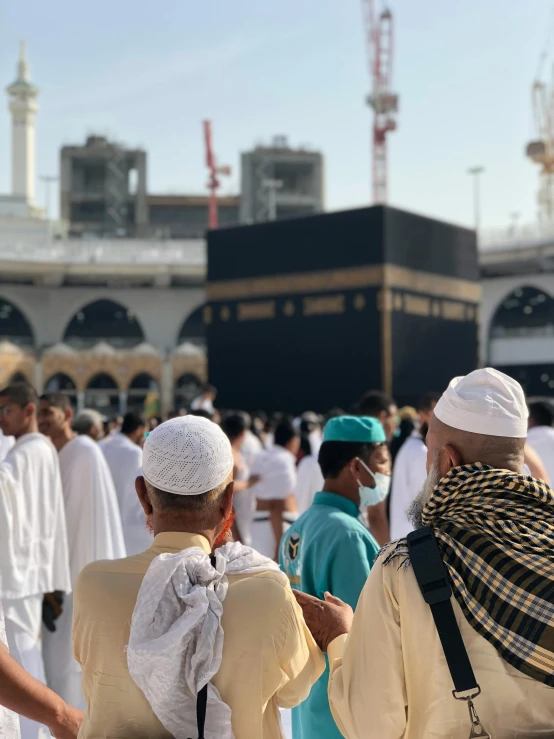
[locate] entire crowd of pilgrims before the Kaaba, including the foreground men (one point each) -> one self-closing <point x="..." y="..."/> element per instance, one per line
<point x="315" y="500"/>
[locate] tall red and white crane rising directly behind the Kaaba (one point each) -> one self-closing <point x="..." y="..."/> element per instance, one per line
<point x="379" y="40"/>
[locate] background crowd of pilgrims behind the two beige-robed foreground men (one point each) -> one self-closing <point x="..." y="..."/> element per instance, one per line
<point x="281" y="464"/>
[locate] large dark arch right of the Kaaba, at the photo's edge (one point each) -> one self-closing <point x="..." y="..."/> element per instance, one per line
<point x="525" y="311"/>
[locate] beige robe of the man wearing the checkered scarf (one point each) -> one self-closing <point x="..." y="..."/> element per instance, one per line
<point x="389" y="678"/>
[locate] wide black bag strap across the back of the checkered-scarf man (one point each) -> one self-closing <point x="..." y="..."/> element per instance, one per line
<point x="432" y="578"/>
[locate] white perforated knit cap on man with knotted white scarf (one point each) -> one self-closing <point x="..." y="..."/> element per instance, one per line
<point x="188" y="455"/>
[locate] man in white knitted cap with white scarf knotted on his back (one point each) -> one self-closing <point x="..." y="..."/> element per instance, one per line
<point x="190" y="629"/>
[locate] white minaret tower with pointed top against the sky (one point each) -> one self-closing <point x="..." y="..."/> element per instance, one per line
<point x="23" y="106"/>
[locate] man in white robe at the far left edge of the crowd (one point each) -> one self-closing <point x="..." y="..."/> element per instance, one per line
<point x="33" y="542"/>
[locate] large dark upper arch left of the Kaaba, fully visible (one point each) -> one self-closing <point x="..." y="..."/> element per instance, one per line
<point x="104" y="320"/>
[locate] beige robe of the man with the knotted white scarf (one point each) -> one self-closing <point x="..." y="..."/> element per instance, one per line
<point x="269" y="661"/>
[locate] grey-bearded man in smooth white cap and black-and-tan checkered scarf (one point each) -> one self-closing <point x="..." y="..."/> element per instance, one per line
<point x="490" y="529"/>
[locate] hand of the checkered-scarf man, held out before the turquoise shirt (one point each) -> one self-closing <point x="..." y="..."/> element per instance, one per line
<point x="327" y="618"/>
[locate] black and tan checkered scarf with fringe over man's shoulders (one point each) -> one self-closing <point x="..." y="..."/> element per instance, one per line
<point x="495" y="530"/>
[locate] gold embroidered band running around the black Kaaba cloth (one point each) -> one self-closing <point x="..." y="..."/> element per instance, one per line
<point x="350" y="278"/>
